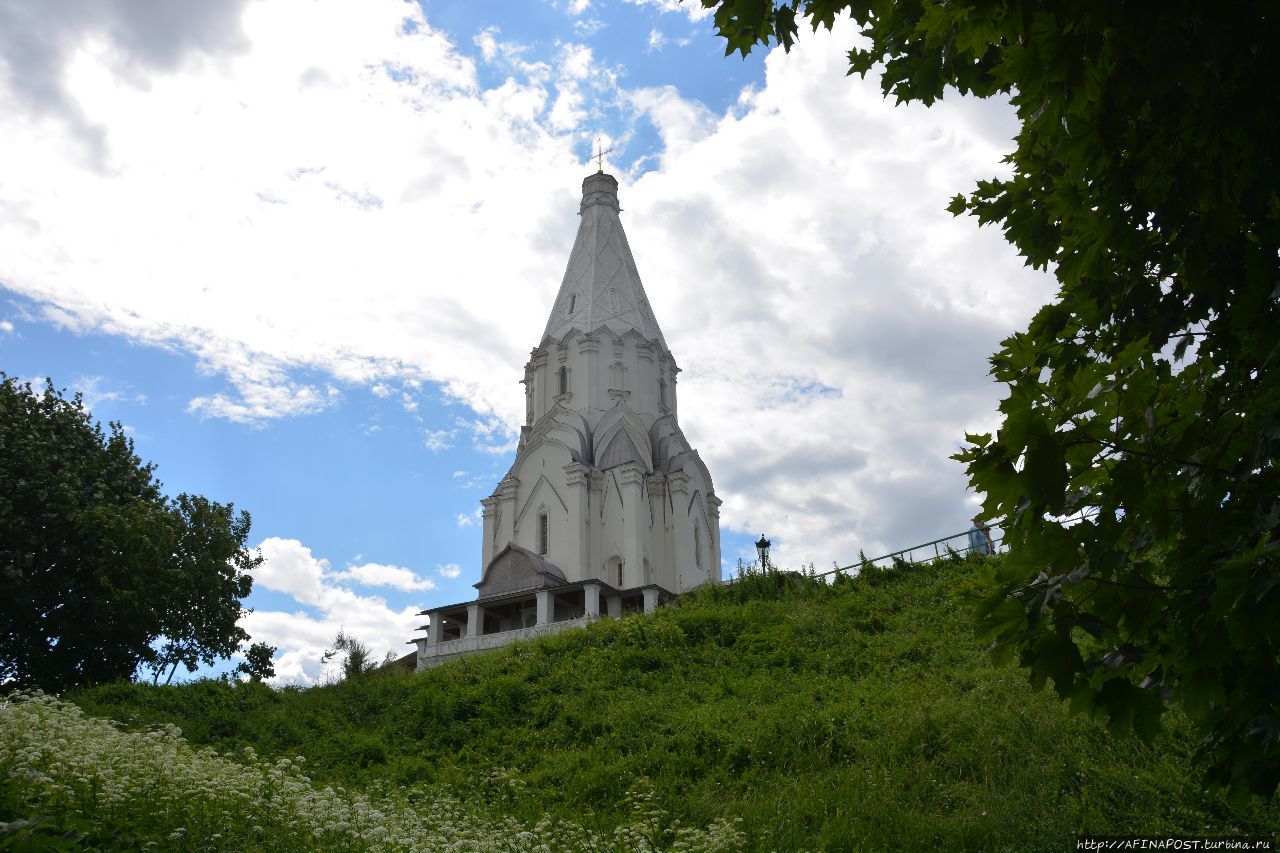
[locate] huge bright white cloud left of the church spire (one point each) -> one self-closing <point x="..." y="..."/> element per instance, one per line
<point x="326" y="170"/>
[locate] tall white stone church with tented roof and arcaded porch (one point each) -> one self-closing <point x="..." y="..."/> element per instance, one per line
<point x="607" y="508"/>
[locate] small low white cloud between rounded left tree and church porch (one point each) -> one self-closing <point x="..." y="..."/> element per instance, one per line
<point x="304" y="635"/>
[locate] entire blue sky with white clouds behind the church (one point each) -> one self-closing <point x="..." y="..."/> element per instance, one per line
<point x="301" y="252"/>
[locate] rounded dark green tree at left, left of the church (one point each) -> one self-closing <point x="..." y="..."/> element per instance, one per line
<point x="100" y="573"/>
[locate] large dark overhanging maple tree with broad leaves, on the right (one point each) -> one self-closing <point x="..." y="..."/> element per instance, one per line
<point x="1145" y="176"/>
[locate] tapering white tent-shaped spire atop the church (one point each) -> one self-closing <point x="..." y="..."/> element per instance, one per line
<point x="602" y="286"/>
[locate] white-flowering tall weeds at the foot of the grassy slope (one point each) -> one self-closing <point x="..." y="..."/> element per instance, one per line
<point x="77" y="781"/>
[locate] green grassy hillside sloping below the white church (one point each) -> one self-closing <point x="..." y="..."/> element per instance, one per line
<point x="852" y="717"/>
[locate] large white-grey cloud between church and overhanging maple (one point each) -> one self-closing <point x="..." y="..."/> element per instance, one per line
<point x="813" y="221"/>
